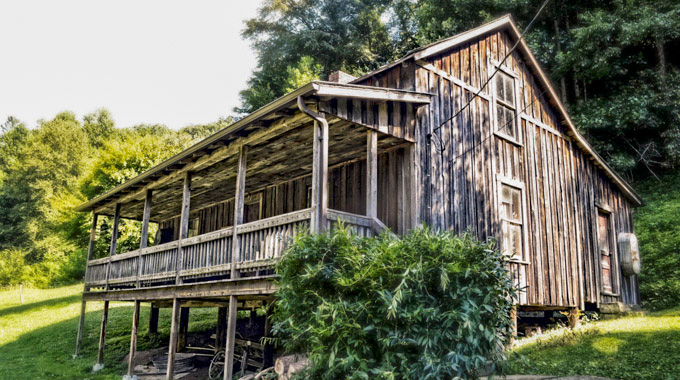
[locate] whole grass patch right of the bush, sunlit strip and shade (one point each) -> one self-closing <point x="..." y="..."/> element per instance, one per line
<point x="644" y="347"/>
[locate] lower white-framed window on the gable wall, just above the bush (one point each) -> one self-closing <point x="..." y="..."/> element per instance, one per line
<point x="512" y="221"/>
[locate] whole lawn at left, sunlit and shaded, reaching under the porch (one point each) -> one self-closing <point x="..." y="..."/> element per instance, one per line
<point x="37" y="338"/>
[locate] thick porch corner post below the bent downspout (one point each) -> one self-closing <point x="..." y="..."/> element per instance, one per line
<point x="319" y="221"/>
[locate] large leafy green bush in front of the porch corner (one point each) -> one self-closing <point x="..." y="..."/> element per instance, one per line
<point x="425" y="305"/>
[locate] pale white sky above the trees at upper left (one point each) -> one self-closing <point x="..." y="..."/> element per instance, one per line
<point x="150" y="61"/>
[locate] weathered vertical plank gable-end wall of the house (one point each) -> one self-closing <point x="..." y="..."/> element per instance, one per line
<point x="457" y="188"/>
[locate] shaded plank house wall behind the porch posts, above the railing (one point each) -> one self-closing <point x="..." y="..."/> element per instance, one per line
<point x="346" y="192"/>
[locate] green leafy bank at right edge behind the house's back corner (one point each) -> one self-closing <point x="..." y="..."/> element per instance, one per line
<point x="656" y="226"/>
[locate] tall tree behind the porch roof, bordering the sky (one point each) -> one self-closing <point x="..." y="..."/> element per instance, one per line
<point x="314" y="37"/>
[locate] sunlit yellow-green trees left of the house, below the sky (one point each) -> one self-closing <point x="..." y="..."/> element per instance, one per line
<point x="46" y="171"/>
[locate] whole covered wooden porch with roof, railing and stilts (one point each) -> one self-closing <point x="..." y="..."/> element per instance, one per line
<point x="227" y="207"/>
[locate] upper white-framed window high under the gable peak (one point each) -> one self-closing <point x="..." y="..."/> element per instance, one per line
<point x="506" y="121"/>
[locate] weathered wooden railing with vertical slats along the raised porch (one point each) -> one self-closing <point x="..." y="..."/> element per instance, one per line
<point x="211" y="255"/>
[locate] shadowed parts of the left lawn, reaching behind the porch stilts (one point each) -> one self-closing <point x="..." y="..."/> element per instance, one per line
<point x="45" y="353"/>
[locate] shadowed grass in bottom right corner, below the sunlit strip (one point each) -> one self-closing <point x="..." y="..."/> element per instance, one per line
<point x="619" y="355"/>
